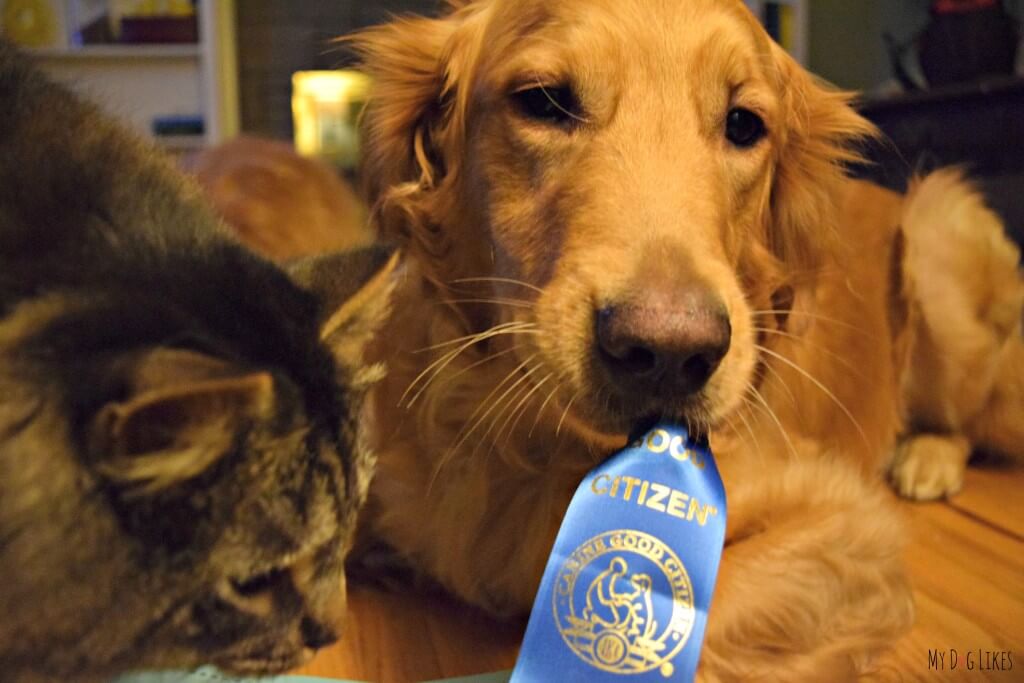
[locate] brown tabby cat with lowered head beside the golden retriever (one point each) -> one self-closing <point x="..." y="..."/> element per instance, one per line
<point x="181" y="465"/>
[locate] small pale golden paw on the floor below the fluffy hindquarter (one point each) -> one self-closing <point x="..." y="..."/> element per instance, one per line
<point x="930" y="466"/>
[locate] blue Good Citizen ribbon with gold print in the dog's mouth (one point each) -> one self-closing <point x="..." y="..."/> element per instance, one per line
<point x="630" y="579"/>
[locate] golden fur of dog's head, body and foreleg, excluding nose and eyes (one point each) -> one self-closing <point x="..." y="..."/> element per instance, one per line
<point x="517" y="232"/>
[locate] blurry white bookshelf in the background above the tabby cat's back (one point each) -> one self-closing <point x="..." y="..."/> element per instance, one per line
<point x="168" y="68"/>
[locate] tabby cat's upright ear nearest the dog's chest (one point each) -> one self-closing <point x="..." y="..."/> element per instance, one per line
<point x="355" y="289"/>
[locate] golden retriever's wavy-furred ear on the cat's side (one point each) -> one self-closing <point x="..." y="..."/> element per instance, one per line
<point x="414" y="123"/>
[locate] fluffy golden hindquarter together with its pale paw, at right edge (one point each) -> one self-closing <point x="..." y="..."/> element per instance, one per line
<point x="965" y="386"/>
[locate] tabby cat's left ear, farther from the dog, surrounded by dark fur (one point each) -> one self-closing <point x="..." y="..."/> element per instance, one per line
<point x="184" y="415"/>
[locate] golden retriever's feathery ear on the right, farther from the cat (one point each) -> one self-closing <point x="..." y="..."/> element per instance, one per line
<point x="820" y="130"/>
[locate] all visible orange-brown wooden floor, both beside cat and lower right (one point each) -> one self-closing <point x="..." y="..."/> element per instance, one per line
<point x="966" y="561"/>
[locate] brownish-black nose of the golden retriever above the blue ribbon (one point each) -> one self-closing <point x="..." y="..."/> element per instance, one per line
<point x="666" y="347"/>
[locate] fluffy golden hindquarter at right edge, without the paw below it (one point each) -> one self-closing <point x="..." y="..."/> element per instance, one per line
<point x="969" y="292"/>
